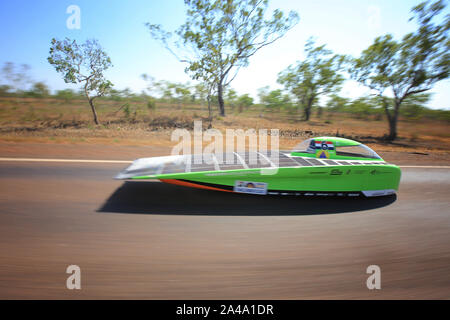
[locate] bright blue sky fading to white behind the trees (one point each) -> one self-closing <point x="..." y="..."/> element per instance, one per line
<point x="346" y="26"/>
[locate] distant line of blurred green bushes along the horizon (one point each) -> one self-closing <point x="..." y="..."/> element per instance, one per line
<point x="272" y="101"/>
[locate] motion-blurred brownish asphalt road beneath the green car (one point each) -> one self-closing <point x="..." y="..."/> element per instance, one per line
<point x="155" y="241"/>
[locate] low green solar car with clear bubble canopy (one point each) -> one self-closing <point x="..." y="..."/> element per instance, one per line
<point x="321" y="166"/>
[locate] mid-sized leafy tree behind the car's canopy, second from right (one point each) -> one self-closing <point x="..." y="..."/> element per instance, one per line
<point x="319" y="74"/>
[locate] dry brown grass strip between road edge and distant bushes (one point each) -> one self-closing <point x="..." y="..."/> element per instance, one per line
<point x="57" y="121"/>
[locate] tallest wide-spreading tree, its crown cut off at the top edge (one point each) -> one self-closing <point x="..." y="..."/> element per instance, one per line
<point x="219" y="37"/>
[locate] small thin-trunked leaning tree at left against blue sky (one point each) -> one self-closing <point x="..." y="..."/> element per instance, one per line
<point x="82" y="64"/>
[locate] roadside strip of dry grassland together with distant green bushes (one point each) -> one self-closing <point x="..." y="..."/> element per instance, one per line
<point x="36" y="113"/>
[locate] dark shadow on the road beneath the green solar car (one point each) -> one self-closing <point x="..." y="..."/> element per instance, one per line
<point x="161" y="198"/>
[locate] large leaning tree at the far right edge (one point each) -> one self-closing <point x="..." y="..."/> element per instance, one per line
<point x="395" y="70"/>
